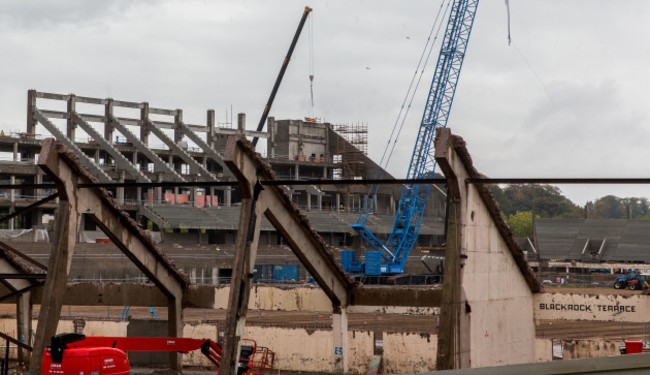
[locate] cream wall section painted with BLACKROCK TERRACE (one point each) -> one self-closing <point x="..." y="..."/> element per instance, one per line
<point x="606" y="307"/>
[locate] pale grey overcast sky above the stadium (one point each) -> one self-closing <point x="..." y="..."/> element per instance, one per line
<point x="567" y="99"/>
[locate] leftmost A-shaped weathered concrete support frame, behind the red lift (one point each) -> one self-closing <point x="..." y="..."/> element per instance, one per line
<point x="63" y="167"/>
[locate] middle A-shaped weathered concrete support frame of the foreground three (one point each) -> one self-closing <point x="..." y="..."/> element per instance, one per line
<point x="272" y="201"/>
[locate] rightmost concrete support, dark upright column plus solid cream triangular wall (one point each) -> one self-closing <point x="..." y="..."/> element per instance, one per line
<point x="487" y="303"/>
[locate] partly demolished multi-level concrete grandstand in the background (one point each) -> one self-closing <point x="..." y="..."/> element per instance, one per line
<point x="120" y="141"/>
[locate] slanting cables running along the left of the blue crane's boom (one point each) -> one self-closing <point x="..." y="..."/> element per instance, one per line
<point x="406" y="105"/>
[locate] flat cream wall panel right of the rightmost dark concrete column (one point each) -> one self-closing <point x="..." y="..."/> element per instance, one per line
<point x="501" y="326"/>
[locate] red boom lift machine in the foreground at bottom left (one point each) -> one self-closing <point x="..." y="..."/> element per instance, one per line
<point x="76" y="354"/>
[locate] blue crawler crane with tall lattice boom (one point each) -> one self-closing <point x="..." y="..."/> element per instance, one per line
<point x="390" y="257"/>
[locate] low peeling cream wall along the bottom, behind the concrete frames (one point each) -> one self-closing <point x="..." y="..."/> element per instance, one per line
<point x="296" y="349"/>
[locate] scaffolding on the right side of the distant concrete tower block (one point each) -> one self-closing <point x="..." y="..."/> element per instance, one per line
<point x="352" y="145"/>
